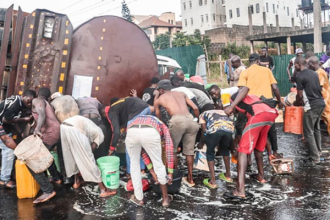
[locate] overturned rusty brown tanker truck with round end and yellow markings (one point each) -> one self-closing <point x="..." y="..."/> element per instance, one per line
<point x="103" y="58"/>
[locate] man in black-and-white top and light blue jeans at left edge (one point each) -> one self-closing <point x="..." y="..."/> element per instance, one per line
<point x="10" y="113"/>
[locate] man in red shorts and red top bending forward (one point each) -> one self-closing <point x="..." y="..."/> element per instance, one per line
<point x="260" y="118"/>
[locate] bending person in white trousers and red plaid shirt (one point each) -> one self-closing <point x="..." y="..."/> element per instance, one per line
<point x="146" y="134"/>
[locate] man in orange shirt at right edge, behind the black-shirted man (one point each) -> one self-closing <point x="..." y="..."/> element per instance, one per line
<point x="314" y="64"/>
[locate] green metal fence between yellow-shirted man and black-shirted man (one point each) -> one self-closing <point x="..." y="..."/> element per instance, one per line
<point x="280" y="73"/>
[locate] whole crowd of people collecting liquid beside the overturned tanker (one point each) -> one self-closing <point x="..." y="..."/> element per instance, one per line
<point x="174" y="116"/>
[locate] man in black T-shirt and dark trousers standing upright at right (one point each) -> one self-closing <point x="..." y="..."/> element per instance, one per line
<point x="308" y="82"/>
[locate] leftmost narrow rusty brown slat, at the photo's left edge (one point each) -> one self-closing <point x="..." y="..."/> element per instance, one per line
<point x="4" y="42"/>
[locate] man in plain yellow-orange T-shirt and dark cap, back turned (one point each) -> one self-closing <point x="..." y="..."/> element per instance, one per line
<point x="261" y="82"/>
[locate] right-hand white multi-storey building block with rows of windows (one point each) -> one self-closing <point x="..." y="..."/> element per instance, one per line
<point x="237" y="12"/>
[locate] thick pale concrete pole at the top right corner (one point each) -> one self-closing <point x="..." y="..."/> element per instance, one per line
<point x="317" y="27"/>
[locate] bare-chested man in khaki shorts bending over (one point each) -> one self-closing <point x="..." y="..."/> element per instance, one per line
<point x="182" y="124"/>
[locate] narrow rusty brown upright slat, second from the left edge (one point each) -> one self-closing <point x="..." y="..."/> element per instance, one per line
<point x="15" y="49"/>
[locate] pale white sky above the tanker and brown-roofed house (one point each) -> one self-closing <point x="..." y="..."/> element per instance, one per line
<point x="80" y="11"/>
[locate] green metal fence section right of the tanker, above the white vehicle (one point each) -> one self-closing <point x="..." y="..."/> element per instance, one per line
<point x="185" y="56"/>
